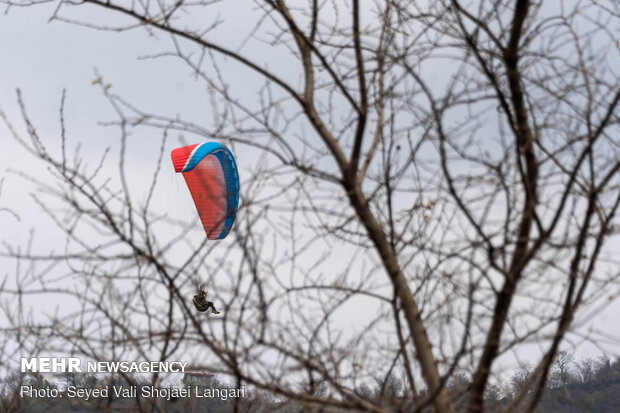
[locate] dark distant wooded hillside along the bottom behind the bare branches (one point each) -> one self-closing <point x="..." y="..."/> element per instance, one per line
<point x="573" y="385"/>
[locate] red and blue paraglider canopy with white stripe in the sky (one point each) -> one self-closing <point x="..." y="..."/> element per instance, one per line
<point x="211" y="175"/>
